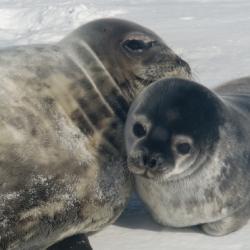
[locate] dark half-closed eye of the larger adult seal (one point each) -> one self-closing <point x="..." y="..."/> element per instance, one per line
<point x="137" y="46"/>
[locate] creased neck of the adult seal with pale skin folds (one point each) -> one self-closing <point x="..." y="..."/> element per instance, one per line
<point x="93" y="95"/>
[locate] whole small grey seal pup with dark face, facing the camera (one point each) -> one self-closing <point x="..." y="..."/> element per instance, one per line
<point x="189" y="148"/>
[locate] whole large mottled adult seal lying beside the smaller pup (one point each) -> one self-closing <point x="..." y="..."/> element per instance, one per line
<point x="62" y="110"/>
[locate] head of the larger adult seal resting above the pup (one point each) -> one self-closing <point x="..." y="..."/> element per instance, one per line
<point x="133" y="55"/>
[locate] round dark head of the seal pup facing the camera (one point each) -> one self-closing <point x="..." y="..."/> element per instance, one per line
<point x="172" y="128"/>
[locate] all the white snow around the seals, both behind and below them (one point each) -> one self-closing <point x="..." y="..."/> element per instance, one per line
<point x="212" y="35"/>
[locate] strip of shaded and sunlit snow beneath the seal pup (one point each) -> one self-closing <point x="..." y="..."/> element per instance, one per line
<point x="135" y="230"/>
